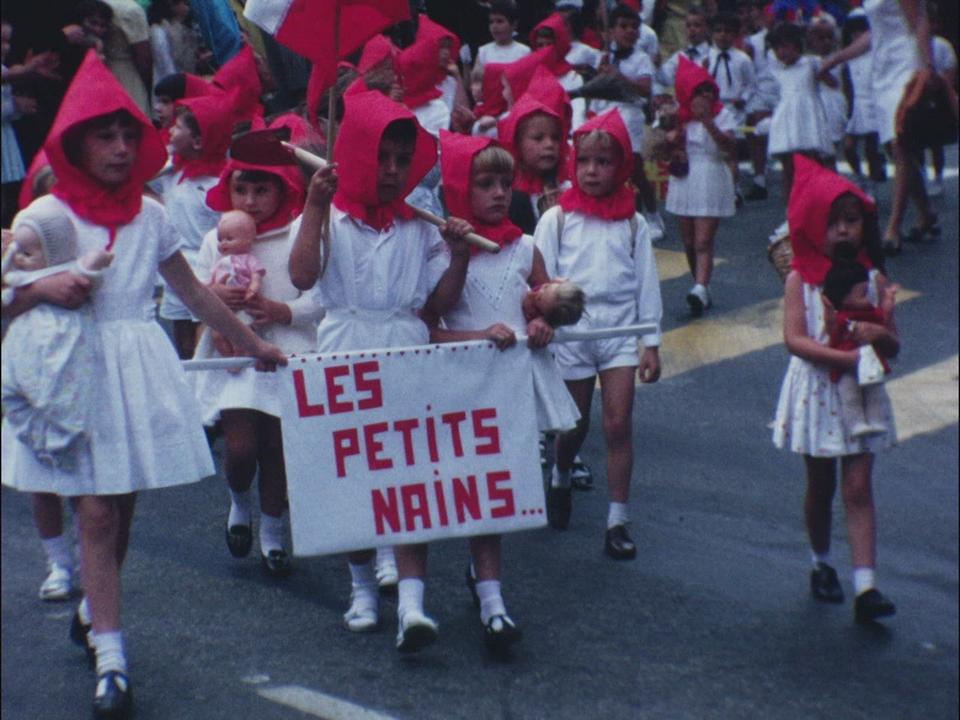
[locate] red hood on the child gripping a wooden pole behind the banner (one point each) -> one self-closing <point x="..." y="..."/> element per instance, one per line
<point x="365" y="118"/>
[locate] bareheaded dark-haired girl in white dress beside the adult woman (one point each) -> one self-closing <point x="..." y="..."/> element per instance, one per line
<point x="799" y="124"/>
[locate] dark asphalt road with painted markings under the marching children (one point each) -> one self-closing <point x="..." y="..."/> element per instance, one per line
<point x="713" y="619"/>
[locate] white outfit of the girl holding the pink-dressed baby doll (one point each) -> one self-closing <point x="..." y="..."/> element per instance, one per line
<point x="248" y="389"/>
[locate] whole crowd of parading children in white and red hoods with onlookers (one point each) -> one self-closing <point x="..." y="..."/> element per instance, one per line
<point x="551" y="144"/>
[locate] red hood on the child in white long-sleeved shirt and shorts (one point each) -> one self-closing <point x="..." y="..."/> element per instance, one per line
<point x="618" y="205"/>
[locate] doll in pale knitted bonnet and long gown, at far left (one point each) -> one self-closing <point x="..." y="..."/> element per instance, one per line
<point x="48" y="357"/>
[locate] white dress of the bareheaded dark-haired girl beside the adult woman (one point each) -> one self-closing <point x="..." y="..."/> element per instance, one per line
<point x="799" y="122"/>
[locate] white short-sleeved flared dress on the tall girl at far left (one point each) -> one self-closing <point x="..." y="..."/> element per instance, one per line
<point x="146" y="430"/>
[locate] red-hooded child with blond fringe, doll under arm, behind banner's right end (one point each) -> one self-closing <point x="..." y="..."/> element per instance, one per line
<point x="477" y="175"/>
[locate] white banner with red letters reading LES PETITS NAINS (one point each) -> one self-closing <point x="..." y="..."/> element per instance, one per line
<point x="410" y="445"/>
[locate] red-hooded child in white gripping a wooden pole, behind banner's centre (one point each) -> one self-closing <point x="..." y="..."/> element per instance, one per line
<point x="384" y="267"/>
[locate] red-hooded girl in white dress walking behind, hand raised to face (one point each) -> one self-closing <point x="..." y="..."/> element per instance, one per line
<point x="707" y="192"/>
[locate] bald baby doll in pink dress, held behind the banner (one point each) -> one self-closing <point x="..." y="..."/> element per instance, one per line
<point x="237" y="266"/>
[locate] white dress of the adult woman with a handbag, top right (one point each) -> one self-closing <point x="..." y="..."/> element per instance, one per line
<point x="895" y="60"/>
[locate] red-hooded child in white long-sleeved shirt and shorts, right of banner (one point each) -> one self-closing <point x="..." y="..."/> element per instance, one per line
<point x="595" y="239"/>
